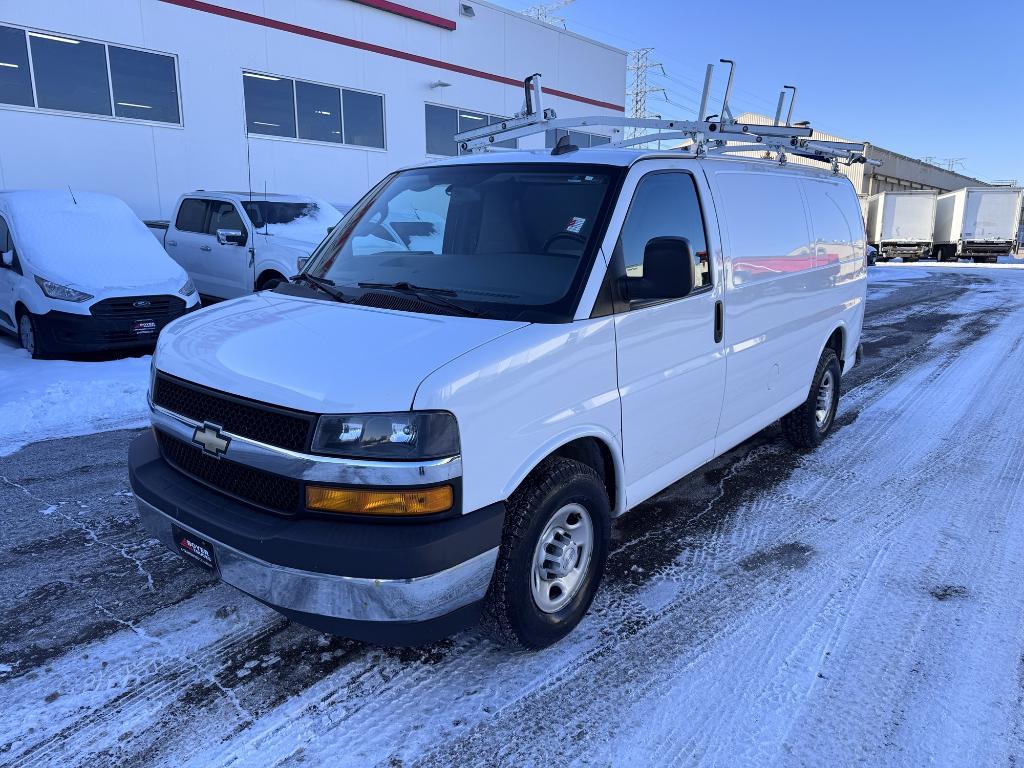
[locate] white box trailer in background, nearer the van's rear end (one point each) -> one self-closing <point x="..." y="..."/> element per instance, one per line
<point x="902" y="224"/>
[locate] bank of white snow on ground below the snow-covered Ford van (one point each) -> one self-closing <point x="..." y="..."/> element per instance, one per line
<point x="40" y="400"/>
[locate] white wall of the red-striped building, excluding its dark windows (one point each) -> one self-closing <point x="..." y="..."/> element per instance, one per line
<point x="150" y="165"/>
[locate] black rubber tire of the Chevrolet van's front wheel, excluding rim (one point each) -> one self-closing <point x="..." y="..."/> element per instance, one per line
<point x="511" y="613"/>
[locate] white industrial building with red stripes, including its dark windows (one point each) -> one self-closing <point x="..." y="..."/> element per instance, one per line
<point x="149" y="99"/>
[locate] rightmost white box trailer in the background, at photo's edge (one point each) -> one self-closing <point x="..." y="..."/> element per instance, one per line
<point x="977" y="223"/>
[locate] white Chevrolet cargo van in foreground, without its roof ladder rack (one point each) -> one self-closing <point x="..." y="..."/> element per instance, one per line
<point x="488" y="362"/>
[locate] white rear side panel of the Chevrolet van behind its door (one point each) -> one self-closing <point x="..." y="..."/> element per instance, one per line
<point x="794" y="246"/>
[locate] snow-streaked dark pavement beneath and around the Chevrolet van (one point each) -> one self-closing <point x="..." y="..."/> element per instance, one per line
<point x="861" y="604"/>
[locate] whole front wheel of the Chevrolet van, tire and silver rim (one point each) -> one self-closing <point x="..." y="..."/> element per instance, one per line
<point x="554" y="547"/>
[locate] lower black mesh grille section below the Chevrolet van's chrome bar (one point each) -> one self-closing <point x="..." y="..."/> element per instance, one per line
<point x="270" y="492"/>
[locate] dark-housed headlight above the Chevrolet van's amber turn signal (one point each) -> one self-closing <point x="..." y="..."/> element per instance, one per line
<point x="423" y="435"/>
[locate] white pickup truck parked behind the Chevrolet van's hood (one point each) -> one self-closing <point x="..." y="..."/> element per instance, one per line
<point x="233" y="244"/>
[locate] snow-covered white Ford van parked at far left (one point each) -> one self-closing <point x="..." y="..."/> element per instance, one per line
<point x="79" y="272"/>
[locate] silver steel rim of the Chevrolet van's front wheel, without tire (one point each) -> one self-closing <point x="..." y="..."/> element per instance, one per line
<point x="562" y="558"/>
